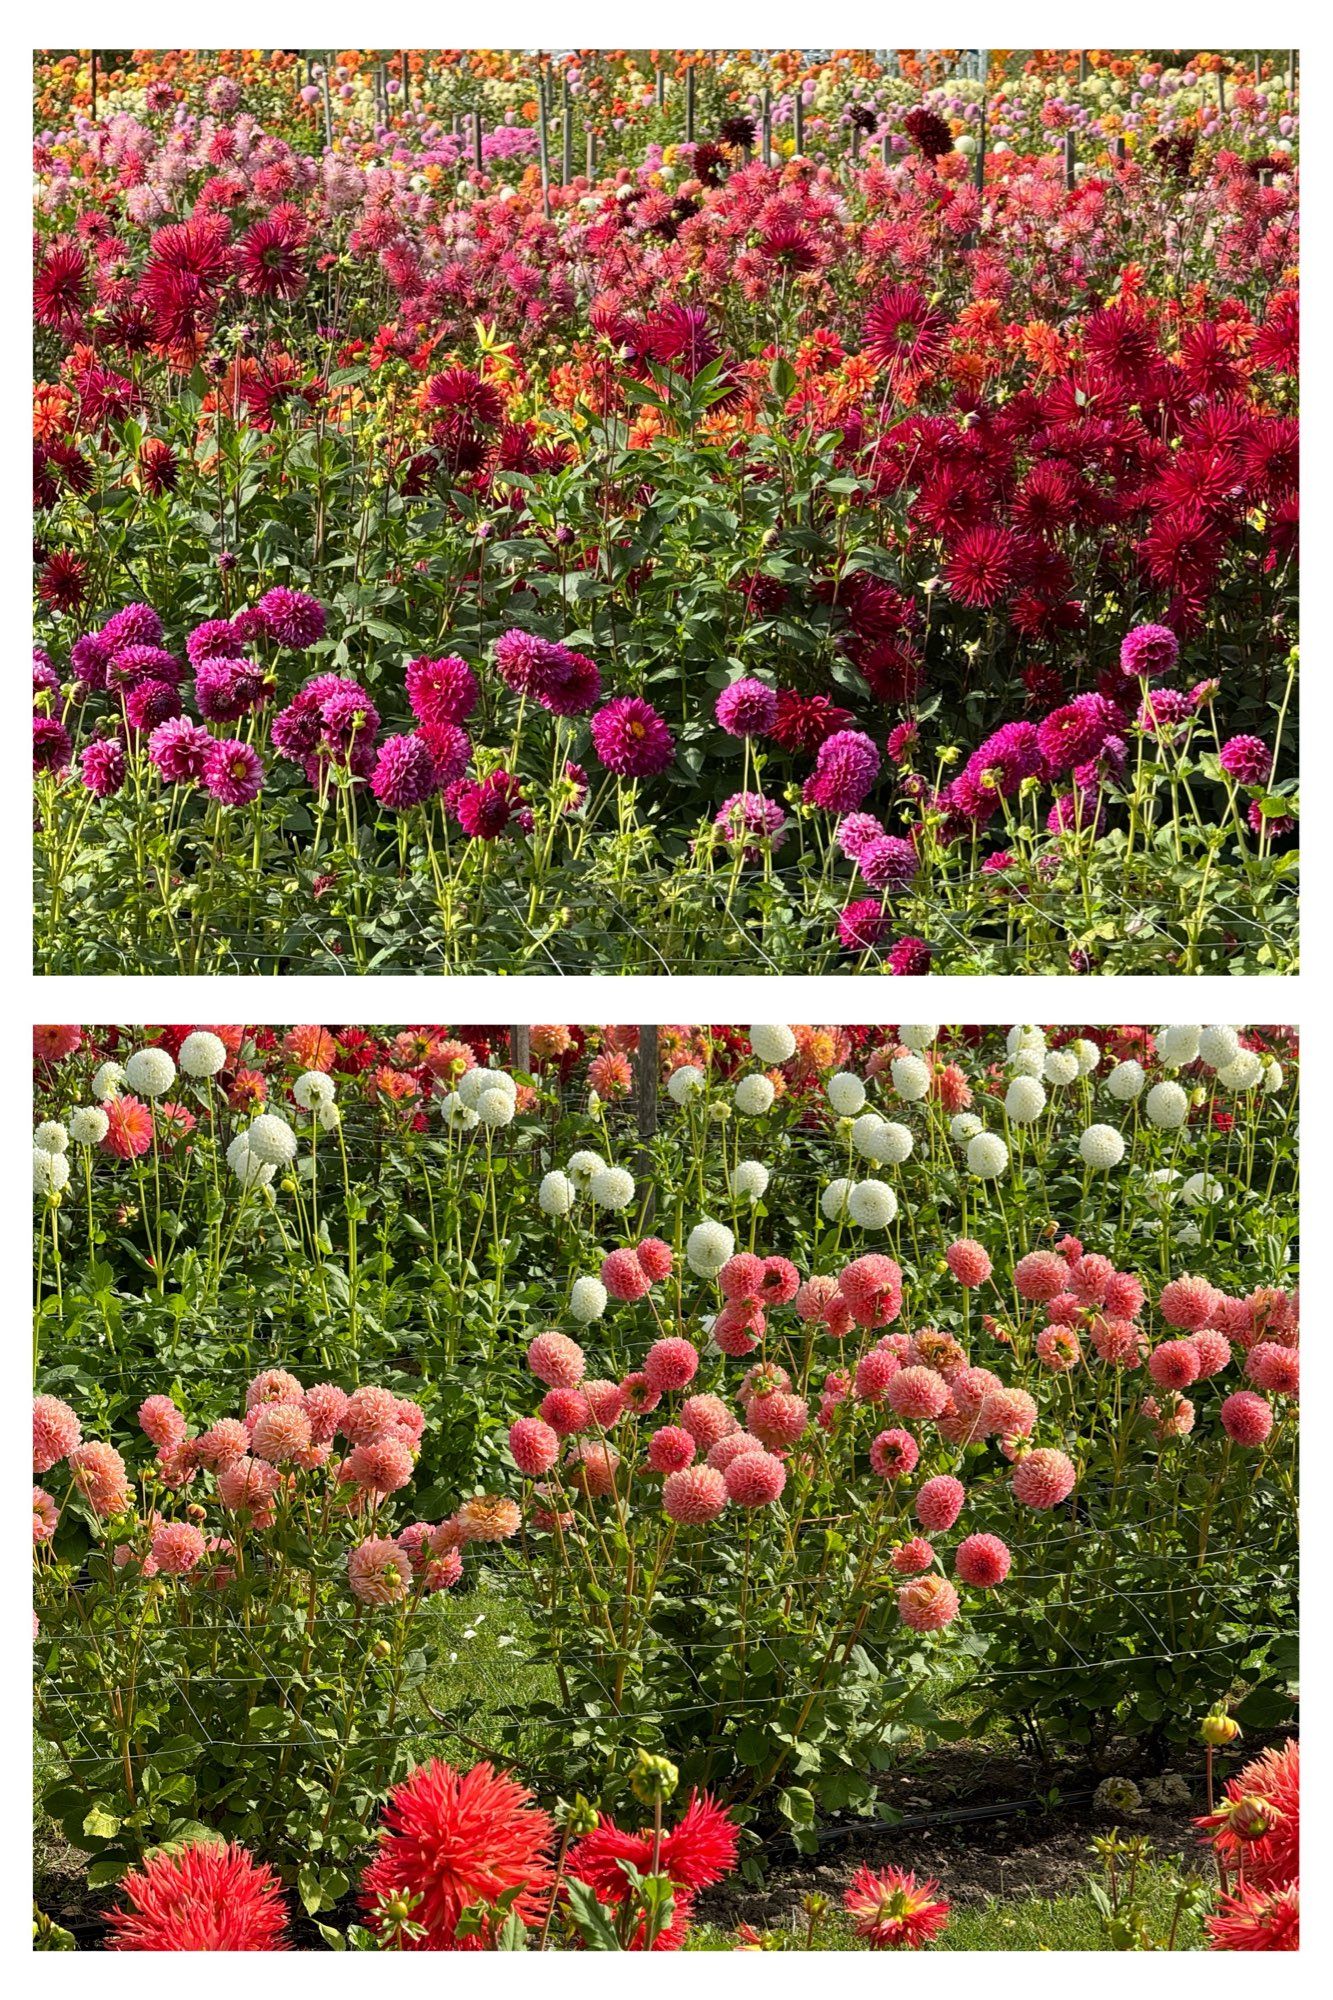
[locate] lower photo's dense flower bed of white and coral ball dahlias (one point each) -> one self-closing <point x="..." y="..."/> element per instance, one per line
<point x="848" y="1375"/>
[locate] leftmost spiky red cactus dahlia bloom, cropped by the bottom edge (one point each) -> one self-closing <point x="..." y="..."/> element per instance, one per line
<point x="201" y="1899"/>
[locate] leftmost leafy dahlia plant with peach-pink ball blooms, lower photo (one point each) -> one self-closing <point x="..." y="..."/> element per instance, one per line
<point x="231" y="1633"/>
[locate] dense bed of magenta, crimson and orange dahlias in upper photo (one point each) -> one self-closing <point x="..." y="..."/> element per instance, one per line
<point x="874" y="555"/>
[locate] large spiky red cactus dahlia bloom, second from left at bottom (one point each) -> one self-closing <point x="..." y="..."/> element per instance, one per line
<point x="457" y="1839"/>
